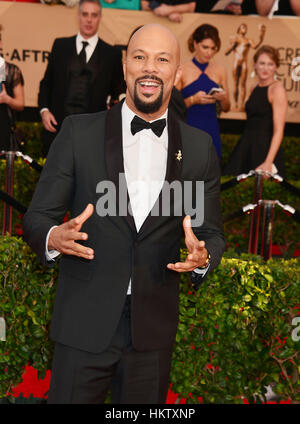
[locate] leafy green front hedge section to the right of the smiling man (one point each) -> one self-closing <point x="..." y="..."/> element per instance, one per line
<point x="235" y="333"/>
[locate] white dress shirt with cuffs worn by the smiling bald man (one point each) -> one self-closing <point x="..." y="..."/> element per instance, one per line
<point x="145" y="164"/>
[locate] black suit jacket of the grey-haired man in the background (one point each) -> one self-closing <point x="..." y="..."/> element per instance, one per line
<point x="109" y="81"/>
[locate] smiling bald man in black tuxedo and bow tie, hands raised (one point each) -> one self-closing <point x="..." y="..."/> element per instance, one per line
<point x="116" y="309"/>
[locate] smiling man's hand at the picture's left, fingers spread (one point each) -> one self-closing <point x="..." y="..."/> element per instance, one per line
<point x="62" y="238"/>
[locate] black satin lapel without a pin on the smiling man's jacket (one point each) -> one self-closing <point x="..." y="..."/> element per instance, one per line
<point x="114" y="157"/>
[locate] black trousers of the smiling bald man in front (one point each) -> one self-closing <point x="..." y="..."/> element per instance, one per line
<point x="80" y="377"/>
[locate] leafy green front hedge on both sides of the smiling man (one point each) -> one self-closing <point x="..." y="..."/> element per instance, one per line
<point x="234" y="334"/>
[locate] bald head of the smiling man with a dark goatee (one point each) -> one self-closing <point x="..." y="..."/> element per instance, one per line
<point x="151" y="68"/>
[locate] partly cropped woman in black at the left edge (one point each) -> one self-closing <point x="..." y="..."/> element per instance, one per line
<point x="11" y="100"/>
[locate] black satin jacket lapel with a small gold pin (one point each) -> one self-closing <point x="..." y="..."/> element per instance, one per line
<point x="173" y="173"/>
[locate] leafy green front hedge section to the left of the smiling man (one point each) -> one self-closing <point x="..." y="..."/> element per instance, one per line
<point x="26" y="299"/>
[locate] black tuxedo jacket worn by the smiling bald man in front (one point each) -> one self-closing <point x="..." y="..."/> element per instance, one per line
<point x="91" y="294"/>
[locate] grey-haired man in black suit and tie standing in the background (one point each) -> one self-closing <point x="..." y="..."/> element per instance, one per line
<point x="81" y="73"/>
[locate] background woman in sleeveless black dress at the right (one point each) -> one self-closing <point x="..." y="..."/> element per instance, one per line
<point x="266" y="108"/>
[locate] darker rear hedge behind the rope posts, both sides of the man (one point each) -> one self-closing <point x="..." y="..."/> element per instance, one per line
<point x="286" y="230"/>
